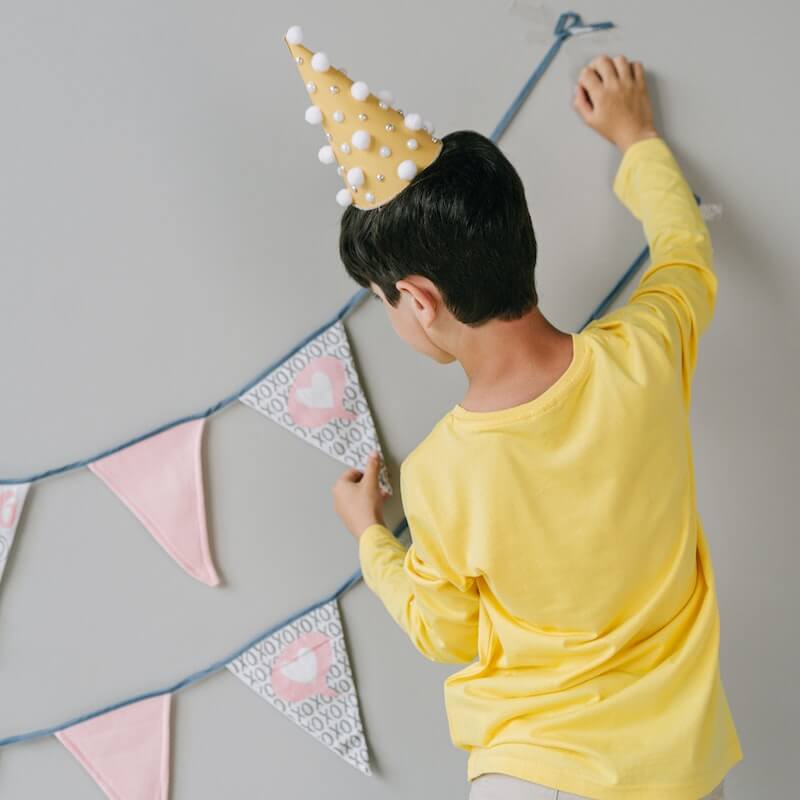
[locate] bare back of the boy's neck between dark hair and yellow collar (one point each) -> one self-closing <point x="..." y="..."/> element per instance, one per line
<point x="508" y="363"/>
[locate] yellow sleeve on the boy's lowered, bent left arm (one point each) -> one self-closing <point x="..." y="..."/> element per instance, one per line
<point x="437" y="609"/>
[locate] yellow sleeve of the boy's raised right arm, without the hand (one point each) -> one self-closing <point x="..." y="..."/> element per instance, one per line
<point x="674" y="301"/>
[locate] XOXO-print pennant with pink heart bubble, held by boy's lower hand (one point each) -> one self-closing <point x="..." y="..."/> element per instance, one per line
<point x="316" y="394"/>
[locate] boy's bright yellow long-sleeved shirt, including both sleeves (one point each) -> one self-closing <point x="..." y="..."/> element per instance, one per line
<point x="557" y="548"/>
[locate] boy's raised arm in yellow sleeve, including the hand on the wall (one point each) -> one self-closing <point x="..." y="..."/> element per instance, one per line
<point x="674" y="301"/>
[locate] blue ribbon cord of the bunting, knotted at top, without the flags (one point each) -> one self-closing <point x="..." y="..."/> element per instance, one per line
<point x="563" y="30"/>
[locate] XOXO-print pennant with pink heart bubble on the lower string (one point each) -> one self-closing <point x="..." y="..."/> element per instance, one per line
<point x="303" y="671"/>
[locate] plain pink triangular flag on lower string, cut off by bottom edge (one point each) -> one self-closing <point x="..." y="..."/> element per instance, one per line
<point x="126" y="751"/>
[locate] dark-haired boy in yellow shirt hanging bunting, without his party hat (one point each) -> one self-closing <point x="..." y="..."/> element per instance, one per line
<point x="556" y="545"/>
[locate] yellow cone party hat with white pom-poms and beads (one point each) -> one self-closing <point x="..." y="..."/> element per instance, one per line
<point x="377" y="148"/>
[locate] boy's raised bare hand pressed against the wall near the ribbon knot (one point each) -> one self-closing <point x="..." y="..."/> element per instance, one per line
<point x="611" y="97"/>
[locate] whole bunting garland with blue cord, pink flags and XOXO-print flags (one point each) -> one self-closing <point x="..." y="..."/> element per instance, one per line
<point x="301" y="666"/>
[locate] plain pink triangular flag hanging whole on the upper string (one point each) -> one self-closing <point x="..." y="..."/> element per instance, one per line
<point x="160" y="479"/>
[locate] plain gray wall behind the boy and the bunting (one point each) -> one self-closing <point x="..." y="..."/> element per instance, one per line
<point x="163" y="218"/>
